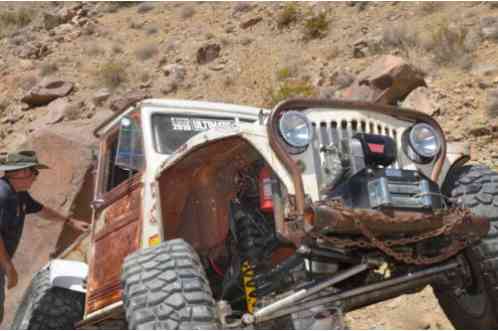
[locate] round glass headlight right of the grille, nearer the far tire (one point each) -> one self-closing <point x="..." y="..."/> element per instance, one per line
<point x="424" y="140"/>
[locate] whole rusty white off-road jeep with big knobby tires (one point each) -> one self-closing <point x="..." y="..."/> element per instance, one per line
<point x="210" y="215"/>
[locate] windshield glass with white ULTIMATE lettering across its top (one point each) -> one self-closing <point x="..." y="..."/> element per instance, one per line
<point x="170" y="131"/>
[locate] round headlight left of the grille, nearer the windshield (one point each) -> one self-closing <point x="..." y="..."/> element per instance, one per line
<point x="295" y="129"/>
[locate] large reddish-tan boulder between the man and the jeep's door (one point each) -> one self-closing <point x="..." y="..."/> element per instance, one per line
<point x="67" y="148"/>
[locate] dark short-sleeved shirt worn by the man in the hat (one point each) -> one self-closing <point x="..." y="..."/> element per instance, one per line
<point x="13" y="208"/>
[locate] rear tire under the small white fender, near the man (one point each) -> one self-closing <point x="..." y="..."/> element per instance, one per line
<point x="48" y="308"/>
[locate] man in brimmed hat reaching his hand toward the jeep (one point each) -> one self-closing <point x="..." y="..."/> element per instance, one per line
<point x="21" y="170"/>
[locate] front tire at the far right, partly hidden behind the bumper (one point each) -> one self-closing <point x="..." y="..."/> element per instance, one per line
<point x="476" y="187"/>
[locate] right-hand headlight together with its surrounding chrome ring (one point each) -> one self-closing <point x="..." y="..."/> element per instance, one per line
<point x="414" y="147"/>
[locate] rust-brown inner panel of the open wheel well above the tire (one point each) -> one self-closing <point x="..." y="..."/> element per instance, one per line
<point x="195" y="193"/>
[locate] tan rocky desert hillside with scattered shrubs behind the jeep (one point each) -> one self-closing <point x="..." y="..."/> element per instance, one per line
<point x="65" y="66"/>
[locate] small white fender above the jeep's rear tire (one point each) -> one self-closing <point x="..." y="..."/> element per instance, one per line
<point x="68" y="274"/>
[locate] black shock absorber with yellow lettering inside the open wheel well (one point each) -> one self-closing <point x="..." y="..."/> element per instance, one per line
<point x="254" y="236"/>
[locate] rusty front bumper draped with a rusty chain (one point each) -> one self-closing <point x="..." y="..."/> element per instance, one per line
<point x="338" y="219"/>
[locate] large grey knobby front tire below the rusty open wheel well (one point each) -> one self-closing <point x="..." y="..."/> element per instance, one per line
<point x="165" y="287"/>
